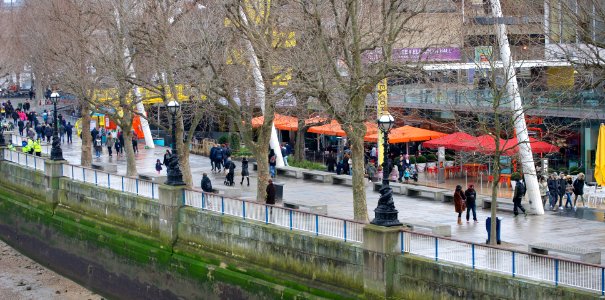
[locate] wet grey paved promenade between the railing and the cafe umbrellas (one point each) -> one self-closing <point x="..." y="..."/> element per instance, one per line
<point x="517" y="232"/>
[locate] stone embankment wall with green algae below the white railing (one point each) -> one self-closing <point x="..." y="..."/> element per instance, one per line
<point x="131" y="247"/>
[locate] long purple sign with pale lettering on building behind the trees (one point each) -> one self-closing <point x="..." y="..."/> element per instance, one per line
<point x="415" y="54"/>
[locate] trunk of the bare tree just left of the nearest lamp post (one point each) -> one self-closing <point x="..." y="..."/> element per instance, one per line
<point x="360" y="206"/>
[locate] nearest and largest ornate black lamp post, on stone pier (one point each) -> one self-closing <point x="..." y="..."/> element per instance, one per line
<point x="385" y="213"/>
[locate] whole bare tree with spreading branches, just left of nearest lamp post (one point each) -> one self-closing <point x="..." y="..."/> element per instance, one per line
<point x="352" y="43"/>
